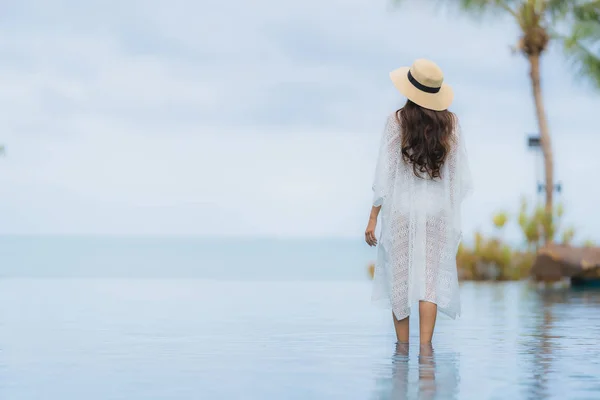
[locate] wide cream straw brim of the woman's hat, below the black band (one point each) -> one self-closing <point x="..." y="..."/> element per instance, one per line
<point x="439" y="101"/>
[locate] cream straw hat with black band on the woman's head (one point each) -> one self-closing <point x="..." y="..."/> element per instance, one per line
<point x="422" y="83"/>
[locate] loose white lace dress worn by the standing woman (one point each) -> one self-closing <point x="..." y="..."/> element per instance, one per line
<point x="420" y="227"/>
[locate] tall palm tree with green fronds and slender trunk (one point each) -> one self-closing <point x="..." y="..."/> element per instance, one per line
<point x="574" y="24"/>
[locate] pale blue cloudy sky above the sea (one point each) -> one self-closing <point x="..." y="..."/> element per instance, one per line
<point x="260" y="118"/>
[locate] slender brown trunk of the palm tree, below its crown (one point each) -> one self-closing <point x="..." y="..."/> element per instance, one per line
<point x="534" y="61"/>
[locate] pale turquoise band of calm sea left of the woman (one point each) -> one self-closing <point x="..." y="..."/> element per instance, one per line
<point x="176" y="257"/>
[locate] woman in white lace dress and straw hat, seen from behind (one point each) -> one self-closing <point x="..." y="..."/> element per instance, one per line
<point x="421" y="178"/>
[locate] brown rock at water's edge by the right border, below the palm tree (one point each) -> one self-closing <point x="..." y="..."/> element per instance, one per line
<point x="555" y="262"/>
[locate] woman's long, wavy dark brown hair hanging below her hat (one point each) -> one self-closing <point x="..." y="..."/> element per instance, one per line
<point x="427" y="137"/>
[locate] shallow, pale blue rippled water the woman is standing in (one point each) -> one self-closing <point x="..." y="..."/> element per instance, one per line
<point x="200" y="339"/>
